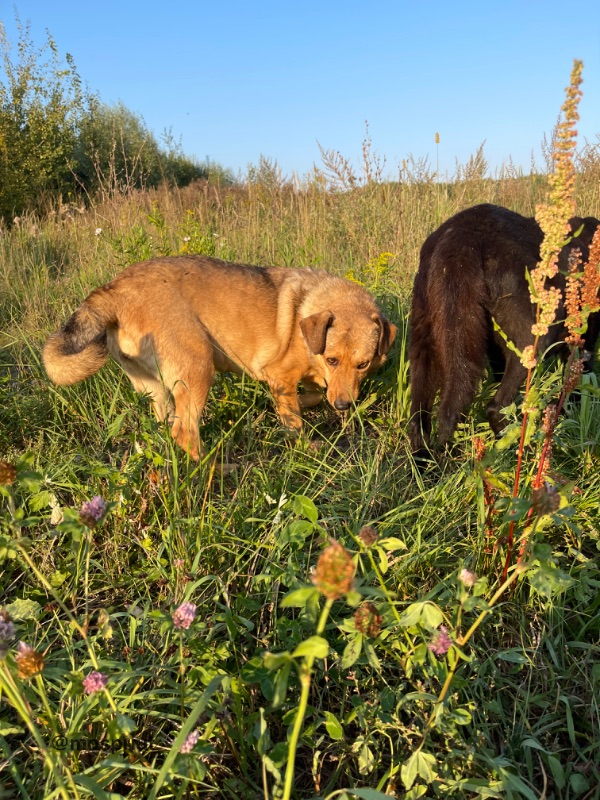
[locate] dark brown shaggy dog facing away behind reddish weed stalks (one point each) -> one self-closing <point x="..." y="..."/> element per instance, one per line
<point x="472" y="268"/>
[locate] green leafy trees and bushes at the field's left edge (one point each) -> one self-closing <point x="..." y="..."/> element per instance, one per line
<point x="58" y="140"/>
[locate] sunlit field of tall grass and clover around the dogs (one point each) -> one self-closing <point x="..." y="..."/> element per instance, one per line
<point x="355" y="687"/>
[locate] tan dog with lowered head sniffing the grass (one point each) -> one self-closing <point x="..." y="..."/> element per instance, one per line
<point x="172" y="322"/>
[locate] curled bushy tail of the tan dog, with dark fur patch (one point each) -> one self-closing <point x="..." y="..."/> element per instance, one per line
<point x="79" y="349"/>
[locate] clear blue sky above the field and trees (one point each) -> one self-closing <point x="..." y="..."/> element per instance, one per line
<point x="234" y="80"/>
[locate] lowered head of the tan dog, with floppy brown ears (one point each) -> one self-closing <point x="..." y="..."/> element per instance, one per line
<point x="347" y="350"/>
